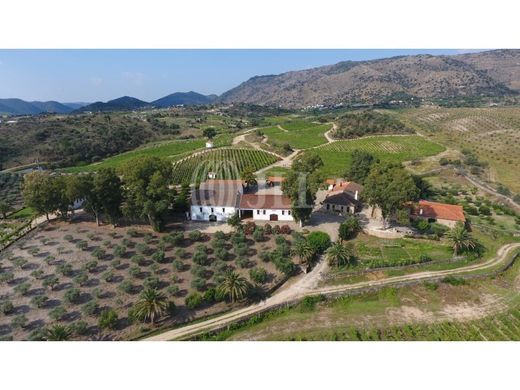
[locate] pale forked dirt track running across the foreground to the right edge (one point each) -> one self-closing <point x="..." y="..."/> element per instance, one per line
<point x="307" y="286"/>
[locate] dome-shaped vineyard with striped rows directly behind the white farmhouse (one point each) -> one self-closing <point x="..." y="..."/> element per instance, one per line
<point x="225" y="163"/>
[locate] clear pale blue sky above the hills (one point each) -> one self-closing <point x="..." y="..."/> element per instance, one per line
<point x="101" y="75"/>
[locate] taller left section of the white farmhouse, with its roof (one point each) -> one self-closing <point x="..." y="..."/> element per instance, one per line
<point x="216" y="200"/>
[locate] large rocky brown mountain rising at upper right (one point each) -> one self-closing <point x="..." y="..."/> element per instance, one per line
<point x="423" y="76"/>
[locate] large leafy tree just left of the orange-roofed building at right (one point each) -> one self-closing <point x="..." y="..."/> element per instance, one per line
<point x="389" y="187"/>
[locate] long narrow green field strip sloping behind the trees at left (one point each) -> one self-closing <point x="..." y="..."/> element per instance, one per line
<point x="168" y="149"/>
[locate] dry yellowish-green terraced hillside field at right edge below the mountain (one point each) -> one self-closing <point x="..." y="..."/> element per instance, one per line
<point x="493" y="134"/>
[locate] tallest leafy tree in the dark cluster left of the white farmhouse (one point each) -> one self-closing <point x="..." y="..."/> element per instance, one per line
<point x="146" y="182"/>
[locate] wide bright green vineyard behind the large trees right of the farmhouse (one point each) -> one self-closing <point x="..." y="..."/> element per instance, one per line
<point x="336" y="156"/>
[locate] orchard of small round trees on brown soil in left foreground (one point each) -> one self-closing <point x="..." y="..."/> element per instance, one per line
<point x="96" y="268"/>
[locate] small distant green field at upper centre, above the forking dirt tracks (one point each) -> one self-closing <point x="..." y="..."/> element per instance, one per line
<point x="298" y="134"/>
